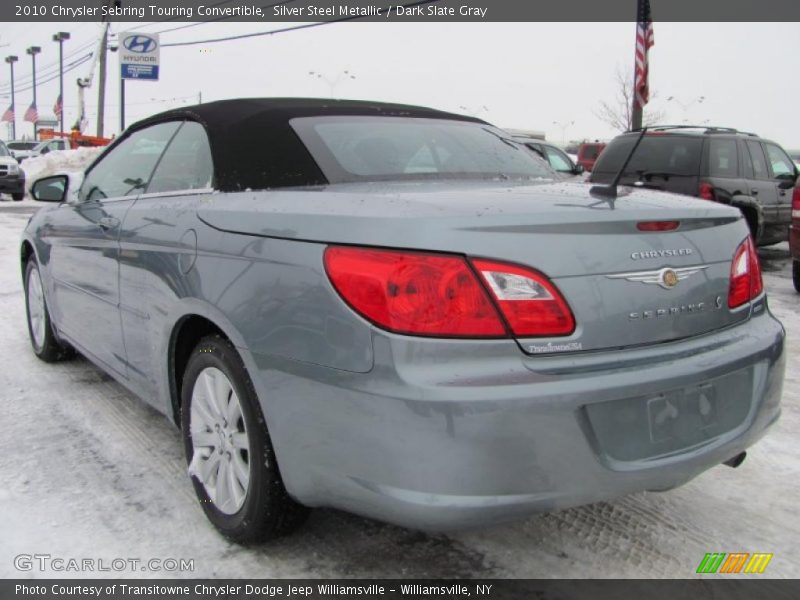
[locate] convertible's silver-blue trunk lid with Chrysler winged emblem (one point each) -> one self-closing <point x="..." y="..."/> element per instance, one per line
<point x="625" y="287"/>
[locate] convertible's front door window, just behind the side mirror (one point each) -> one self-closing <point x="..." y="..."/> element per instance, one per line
<point x="126" y="169"/>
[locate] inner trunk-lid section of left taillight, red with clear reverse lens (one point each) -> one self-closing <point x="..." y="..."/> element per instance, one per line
<point x="530" y="303"/>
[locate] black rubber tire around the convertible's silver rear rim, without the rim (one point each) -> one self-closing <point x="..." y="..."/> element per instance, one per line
<point x="268" y="511"/>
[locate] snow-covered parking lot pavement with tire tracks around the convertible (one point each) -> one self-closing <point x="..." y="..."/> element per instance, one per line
<point x="89" y="471"/>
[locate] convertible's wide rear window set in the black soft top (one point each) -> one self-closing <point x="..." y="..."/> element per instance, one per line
<point x="364" y="148"/>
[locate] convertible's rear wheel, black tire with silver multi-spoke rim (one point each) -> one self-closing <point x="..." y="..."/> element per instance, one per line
<point x="231" y="460"/>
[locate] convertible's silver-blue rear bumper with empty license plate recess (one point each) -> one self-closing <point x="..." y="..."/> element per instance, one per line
<point x="453" y="434"/>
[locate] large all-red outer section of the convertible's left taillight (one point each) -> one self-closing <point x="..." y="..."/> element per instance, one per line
<point x="413" y="292"/>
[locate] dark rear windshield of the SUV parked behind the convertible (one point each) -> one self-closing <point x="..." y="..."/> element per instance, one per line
<point x="673" y="154"/>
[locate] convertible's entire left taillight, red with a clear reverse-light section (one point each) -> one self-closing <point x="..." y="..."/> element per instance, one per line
<point x="439" y="295"/>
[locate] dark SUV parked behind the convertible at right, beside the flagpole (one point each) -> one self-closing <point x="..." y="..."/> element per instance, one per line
<point x="713" y="163"/>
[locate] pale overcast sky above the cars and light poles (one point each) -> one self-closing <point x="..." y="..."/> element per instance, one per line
<point x="527" y="75"/>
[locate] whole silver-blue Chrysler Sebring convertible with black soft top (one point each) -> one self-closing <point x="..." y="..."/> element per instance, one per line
<point x="400" y="312"/>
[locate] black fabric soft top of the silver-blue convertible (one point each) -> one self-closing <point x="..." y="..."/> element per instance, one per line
<point x="254" y="147"/>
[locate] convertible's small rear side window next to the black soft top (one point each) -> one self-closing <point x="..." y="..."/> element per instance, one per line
<point x="186" y="164"/>
